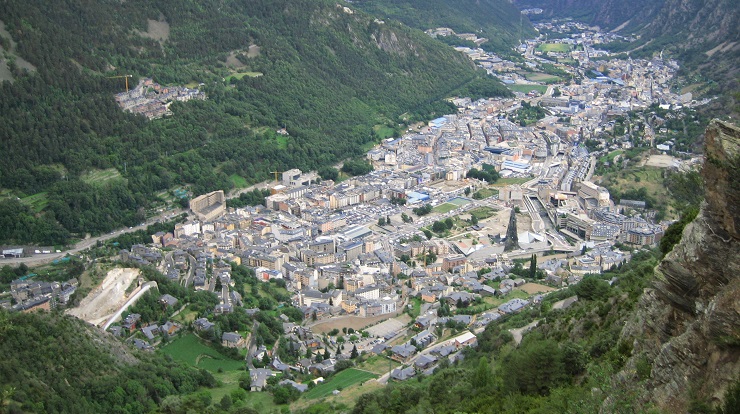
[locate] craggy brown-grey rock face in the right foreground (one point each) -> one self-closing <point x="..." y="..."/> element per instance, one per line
<point x="688" y="325"/>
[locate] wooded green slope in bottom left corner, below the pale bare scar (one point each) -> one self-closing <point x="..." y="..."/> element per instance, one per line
<point x="58" y="364"/>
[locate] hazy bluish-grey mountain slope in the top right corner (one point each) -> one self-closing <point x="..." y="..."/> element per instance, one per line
<point x="703" y="35"/>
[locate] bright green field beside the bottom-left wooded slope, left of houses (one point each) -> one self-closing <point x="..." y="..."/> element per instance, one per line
<point x="193" y="351"/>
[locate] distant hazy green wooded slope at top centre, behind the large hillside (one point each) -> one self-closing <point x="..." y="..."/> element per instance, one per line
<point x="497" y="20"/>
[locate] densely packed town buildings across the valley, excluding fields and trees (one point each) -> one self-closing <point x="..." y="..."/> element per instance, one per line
<point x="356" y="248"/>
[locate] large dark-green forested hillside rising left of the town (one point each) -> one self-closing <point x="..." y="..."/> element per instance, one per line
<point x="325" y="73"/>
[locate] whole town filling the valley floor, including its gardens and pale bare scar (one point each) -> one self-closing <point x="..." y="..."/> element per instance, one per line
<point x="464" y="220"/>
